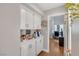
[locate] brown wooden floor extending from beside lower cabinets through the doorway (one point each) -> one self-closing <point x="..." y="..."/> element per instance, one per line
<point x="55" y="49"/>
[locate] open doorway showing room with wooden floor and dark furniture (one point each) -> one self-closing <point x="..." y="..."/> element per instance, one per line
<point x="56" y="35"/>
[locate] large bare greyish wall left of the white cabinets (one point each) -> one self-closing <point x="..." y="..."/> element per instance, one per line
<point x="9" y="29"/>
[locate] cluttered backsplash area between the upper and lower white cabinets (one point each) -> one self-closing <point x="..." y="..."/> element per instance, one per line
<point x="29" y="34"/>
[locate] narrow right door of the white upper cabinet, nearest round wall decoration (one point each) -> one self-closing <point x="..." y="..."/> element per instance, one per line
<point x="37" y="21"/>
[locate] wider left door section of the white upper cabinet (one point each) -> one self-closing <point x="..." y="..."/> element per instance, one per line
<point x="26" y="19"/>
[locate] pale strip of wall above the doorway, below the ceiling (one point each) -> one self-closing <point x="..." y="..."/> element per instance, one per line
<point x="56" y="11"/>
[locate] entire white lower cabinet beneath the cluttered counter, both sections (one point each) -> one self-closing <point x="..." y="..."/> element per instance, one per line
<point x="31" y="47"/>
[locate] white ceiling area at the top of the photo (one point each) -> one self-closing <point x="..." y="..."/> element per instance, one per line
<point x="47" y="6"/>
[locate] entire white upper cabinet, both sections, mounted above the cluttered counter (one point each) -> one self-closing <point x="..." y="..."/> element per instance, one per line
<point x="30" y="20"/>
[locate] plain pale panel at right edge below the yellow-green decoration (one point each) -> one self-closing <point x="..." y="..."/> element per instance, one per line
<point x="75" y="37"/>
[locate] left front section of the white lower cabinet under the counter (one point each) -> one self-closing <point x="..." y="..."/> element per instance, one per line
<point x="28" y="48"/>
